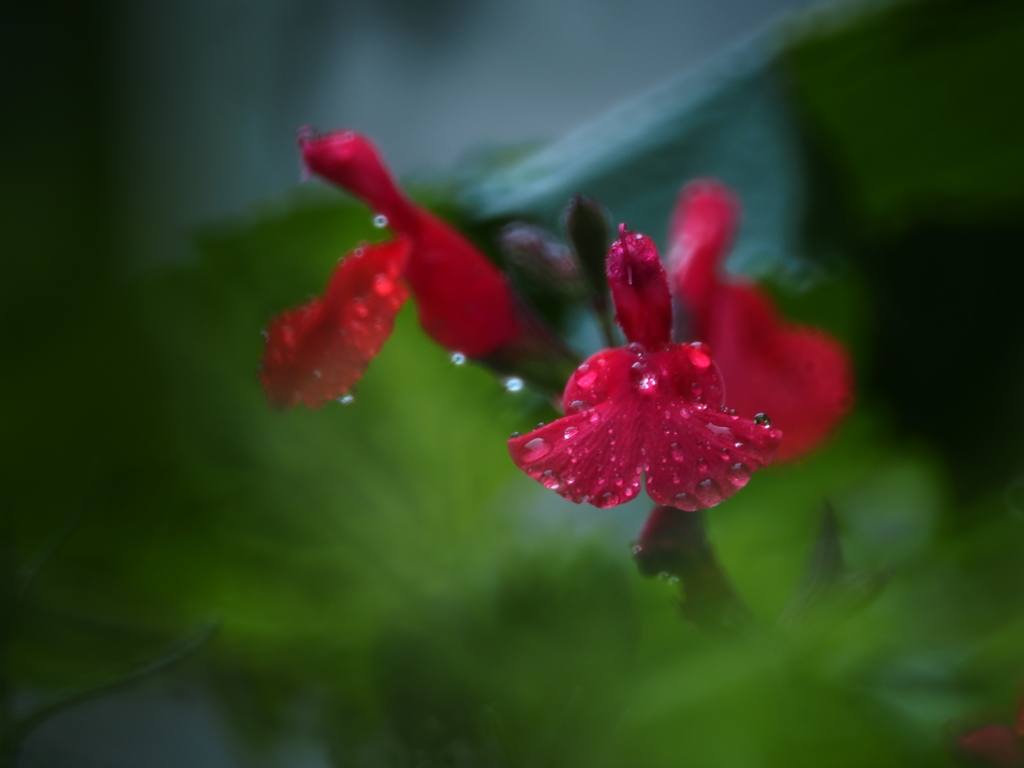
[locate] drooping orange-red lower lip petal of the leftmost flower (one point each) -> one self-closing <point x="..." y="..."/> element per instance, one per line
<point x="317" y="352"/>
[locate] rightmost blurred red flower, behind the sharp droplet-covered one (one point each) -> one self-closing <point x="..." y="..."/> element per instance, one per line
<point x="799" y="375"/>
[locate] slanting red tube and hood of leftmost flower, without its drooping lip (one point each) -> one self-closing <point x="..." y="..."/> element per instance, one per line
<point x="464" y="302"/>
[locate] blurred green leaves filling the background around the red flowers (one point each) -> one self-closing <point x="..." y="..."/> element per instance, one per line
<point x="383" y="570"/>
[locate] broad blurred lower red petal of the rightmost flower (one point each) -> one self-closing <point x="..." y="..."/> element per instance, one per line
<point x="800" y="376"/>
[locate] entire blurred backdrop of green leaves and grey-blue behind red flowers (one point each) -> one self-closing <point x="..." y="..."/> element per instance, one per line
<point x="388" y="590"/>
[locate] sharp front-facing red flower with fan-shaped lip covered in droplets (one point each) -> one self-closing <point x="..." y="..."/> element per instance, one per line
<point x="653" y="409"/>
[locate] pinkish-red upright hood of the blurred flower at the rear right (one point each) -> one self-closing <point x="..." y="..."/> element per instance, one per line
<point x="703" y="227"/>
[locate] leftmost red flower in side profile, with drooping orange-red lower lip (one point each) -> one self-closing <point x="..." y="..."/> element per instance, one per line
<point x="318" y="352"/>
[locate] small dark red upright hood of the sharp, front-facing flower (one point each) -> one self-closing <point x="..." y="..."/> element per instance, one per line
<point x="641" y="289"/>
